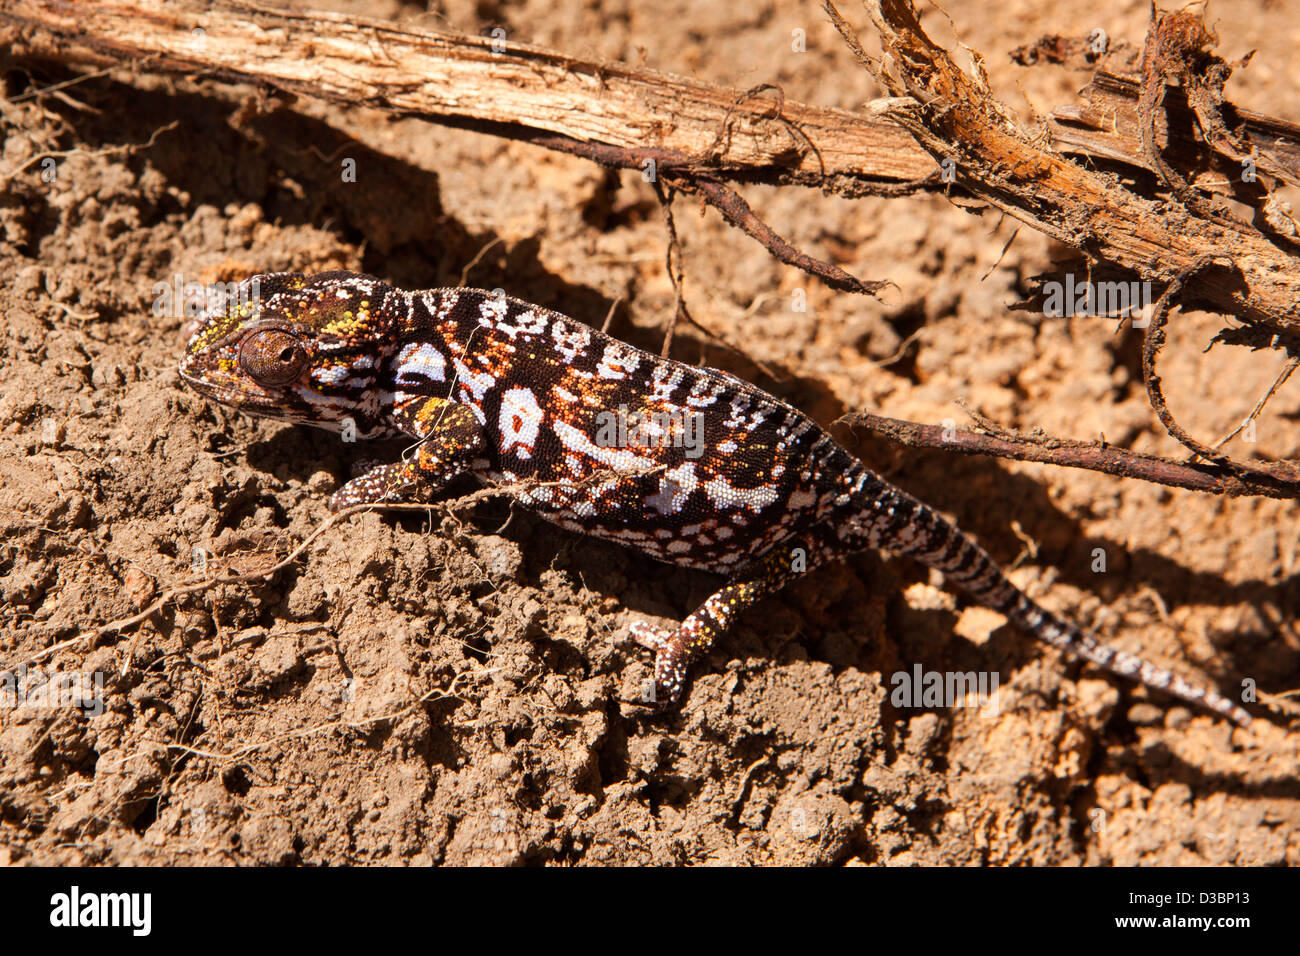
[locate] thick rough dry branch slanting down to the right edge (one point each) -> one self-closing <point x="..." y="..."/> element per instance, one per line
<point x="956" y="118"/>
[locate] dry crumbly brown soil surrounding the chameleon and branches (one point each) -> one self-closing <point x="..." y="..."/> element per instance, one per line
<point x="431" y="689"/>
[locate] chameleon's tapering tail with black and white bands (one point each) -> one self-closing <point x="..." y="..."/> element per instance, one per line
<point x="886" y="517"/>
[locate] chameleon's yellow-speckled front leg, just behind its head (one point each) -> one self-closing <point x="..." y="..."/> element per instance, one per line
<point x="450" y="439"/>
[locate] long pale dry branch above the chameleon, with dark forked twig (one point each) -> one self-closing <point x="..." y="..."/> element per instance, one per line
<point x="617" y="115"/>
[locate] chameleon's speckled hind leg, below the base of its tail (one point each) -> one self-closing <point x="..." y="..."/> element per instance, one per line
<point x="677" y="650"/>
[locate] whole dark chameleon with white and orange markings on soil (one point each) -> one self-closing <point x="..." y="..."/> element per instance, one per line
<point x="515" y="393"/>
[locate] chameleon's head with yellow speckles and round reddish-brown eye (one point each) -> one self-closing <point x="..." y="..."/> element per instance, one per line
<point x="293" y="348"/>
